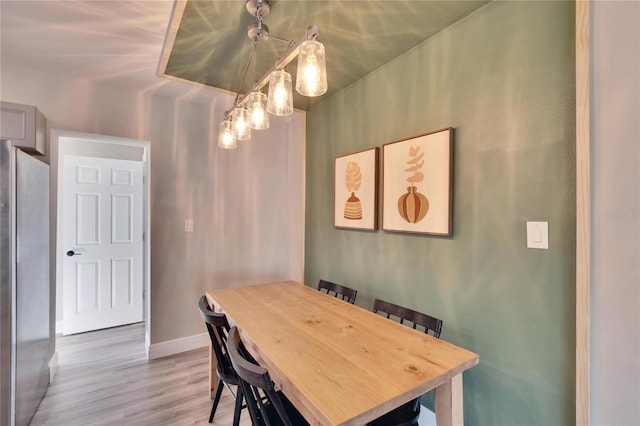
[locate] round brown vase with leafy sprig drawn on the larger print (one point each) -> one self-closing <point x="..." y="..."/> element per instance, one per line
<point x="413" y="206"/>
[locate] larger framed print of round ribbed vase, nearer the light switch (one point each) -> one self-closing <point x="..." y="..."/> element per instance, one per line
<point x="417" y="184"/>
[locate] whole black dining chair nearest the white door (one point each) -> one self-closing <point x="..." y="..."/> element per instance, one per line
<point x="218" y="328"/>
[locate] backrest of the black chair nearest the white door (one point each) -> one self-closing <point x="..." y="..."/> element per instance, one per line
<point x="218" y="328"/>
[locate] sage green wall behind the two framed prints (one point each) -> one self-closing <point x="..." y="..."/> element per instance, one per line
<point x="503" y="78"/>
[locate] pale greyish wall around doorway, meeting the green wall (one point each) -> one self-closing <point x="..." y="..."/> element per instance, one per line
<point x="247" y="204"/>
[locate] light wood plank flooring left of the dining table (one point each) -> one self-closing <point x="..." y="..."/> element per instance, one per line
<point x="104" y="378"/>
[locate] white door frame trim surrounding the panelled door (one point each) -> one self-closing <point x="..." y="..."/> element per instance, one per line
<point x="62" y="143"/>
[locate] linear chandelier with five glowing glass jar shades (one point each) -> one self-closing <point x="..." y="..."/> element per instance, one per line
<point x="250" y="111"/>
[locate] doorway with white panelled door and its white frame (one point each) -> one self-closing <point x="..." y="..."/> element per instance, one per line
<point x="122" y="161"/>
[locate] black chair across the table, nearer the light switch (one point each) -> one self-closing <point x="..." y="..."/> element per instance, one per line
<point x="408" y="413"/>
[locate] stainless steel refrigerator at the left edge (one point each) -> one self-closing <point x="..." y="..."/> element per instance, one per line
<point x="24" y="295"/>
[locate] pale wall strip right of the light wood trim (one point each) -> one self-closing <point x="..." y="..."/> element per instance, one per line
<point x="615" y="286"/>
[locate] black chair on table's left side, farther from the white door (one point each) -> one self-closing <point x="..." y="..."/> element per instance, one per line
<point x="267" y="407"/>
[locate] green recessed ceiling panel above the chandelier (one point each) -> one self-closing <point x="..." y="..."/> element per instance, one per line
<point x="207" y="41"/>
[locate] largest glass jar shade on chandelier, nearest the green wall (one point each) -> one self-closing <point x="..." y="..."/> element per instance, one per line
<point x="311" y="79"/>
